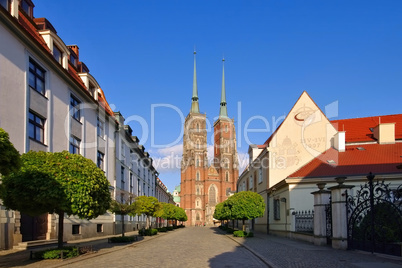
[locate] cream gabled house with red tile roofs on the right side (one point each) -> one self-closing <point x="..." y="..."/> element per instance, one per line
<point x="308" y="149"/>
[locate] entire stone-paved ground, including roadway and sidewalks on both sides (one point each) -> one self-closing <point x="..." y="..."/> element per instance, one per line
<point x="208" y="247"/>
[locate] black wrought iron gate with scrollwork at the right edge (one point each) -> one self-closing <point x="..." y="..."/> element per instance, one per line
<point x="375" y="218"/>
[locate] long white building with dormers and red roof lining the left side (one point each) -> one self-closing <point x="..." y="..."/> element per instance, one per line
<point x="49" y="101"/>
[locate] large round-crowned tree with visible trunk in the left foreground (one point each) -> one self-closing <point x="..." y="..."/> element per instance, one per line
<point x="60" y="183"/>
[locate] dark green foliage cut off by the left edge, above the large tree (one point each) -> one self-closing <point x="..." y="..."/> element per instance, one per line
<point x="9" y="156"/>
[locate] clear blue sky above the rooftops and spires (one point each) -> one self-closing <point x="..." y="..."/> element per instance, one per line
<point x="141" y="53"/>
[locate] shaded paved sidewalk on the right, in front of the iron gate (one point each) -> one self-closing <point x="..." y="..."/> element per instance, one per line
<point x="288" y="253"/>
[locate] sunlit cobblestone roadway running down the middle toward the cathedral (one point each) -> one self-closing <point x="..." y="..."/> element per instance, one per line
<point x="188" y="247"/>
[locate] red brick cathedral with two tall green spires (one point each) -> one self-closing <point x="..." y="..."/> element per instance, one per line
<point x="205" y="184"/>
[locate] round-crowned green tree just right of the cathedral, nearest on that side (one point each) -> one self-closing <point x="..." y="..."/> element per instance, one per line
<point x="246" y="205"/>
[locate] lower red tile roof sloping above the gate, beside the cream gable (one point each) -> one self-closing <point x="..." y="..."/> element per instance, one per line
<point x="375" y="158"/>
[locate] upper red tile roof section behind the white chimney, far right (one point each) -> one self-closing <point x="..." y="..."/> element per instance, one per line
<point x="358" y="129"/>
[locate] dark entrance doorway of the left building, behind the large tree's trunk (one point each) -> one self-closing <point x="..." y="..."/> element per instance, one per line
<point x="33" y="228"/>
